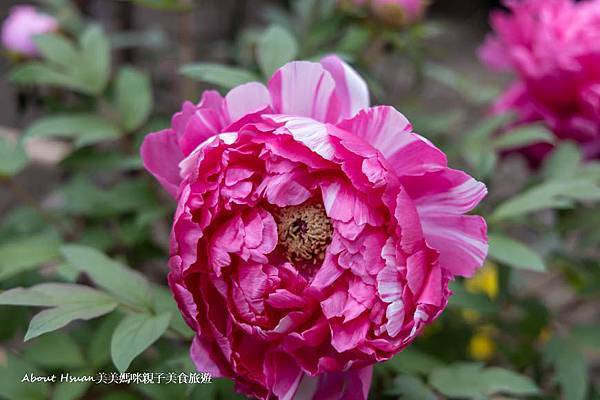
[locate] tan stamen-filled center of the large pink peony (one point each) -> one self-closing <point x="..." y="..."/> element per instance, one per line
<point x="304" y="232"/>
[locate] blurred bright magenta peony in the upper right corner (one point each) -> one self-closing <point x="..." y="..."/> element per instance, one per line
<point x="554" y="48"/>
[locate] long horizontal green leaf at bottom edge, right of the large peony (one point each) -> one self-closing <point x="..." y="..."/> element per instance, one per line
<point x="471" y="380"/>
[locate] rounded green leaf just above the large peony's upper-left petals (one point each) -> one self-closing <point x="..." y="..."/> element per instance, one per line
<point x="276" y="47"/>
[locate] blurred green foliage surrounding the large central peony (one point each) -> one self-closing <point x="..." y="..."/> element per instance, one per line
<point x="84" y="259"/>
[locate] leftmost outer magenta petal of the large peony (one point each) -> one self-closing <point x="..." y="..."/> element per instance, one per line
<point x="161" y="156"/>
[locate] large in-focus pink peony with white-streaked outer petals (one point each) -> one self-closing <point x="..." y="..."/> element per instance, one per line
<point x="314" y="236"/>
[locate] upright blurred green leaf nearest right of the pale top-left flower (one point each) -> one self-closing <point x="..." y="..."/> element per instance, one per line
<point x="95" y="53"/>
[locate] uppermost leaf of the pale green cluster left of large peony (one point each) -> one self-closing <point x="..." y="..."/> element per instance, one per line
<point x="123" y="282"/>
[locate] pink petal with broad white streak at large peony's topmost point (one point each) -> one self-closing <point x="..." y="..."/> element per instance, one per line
<point x="350" y="88"/>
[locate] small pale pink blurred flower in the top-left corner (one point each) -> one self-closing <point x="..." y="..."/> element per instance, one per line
<point x="22" y="25"/>
